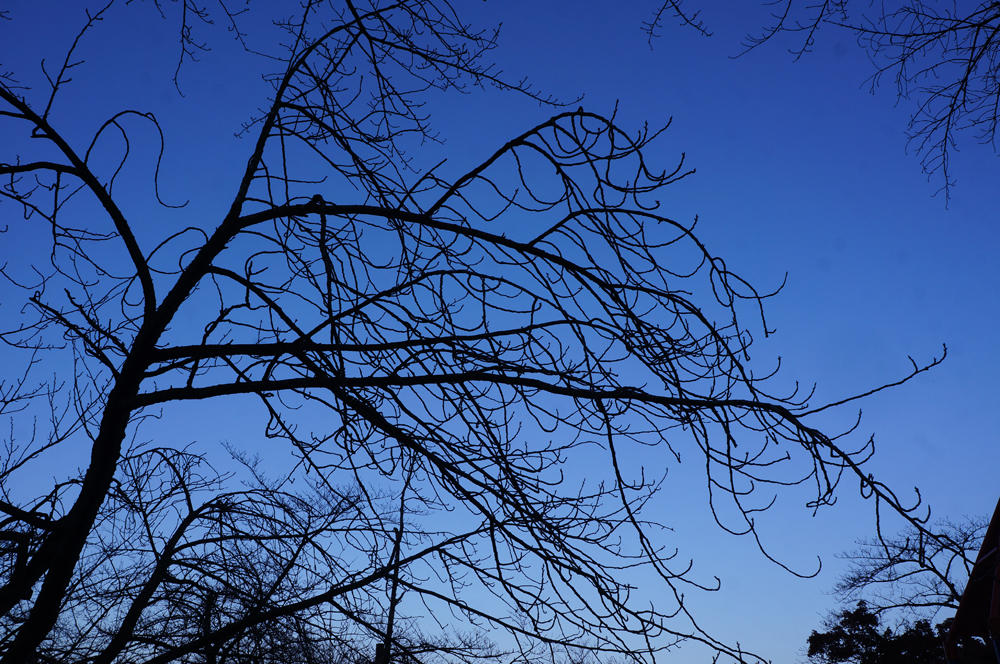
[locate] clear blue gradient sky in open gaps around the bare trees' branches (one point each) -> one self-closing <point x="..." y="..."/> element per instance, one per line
<point x="799" y="171"/>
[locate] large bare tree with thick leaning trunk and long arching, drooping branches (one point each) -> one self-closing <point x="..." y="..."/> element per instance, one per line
<point x="465" y="375"/>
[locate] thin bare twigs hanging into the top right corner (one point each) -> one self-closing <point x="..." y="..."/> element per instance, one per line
<point x="943" y="57"/>
